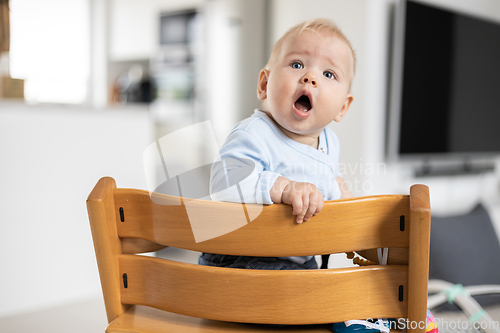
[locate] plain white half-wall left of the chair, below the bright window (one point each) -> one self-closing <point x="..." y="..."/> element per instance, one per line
<point x="50" y="159"/>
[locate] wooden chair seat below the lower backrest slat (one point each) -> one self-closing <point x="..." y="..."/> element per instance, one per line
<point x="143" y="319"/>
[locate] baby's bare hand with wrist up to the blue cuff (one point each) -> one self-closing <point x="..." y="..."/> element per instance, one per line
<point x="305" y="198"/>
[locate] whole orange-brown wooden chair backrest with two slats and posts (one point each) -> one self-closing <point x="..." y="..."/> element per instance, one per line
<point x="125" y="222"/>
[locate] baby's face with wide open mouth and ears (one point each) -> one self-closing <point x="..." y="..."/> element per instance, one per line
<point x="307" y="86"/>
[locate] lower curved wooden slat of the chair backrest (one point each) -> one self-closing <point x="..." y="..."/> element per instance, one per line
<point x="259" y="296"/>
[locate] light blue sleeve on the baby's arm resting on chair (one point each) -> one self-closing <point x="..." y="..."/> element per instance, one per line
<point x="241" y="172"/>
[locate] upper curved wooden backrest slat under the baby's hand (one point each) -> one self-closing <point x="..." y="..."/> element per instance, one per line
<point x="344" y="225"/>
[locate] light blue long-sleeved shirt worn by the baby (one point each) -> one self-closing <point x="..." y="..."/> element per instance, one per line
<point x="257" y="152"/>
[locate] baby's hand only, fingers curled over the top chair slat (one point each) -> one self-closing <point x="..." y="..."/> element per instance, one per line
<point x="305" y="199"/>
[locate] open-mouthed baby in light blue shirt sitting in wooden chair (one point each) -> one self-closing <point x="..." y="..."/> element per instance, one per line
<point x="284" y="152"/>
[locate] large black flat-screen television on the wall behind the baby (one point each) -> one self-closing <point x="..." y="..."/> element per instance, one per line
<point x="445" y="86"/>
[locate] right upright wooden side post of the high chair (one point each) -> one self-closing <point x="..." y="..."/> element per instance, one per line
<point x="419" y="247"/>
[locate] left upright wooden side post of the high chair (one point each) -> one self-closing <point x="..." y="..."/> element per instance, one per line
<point x="107" y="244"/>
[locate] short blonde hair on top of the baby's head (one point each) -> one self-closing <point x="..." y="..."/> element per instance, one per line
<point x="319" y="25"/>
